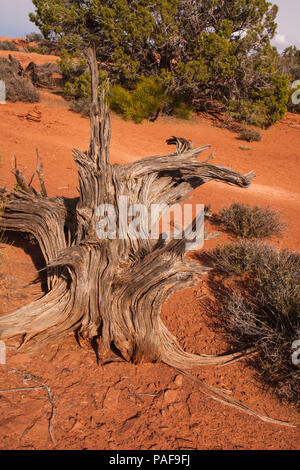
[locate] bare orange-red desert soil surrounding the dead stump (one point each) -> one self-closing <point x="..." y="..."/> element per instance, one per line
<point x="120" y="405"/>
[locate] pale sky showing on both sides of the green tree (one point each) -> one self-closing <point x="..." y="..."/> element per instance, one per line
<point x="14" y="21"/>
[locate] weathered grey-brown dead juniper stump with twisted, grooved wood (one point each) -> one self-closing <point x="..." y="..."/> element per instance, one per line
<point x="112" y="289"/>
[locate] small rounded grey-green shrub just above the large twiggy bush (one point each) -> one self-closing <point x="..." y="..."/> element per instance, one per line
<point x="250" y="221"/>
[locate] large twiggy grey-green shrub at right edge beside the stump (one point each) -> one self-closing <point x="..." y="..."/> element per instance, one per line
<point x="264" y="311"/>
